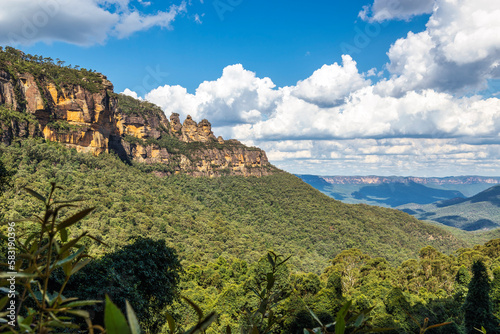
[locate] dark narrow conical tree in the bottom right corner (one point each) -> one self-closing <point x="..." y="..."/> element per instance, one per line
<point x="477" y="306"/>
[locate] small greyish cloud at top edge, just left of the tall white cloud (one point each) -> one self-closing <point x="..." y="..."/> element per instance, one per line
<point x="382" y="10"/>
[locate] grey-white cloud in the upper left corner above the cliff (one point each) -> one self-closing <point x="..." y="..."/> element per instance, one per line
<point x="83" y="22"/>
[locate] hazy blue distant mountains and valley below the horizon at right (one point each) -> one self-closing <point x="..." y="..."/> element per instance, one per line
<point x="467" y="202"/>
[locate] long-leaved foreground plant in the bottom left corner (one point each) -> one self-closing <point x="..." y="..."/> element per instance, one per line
<point x="35" y="258"/>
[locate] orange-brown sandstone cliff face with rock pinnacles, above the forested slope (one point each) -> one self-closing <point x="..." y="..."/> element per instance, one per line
<point x="93" y="119"/>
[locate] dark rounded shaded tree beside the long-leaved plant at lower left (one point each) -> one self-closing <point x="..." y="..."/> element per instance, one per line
<point x="146" y="273"/>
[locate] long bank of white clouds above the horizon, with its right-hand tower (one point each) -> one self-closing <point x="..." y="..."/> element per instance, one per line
<point x="421" y="120"/>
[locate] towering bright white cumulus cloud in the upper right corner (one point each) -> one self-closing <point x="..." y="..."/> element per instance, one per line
<point x="458" y="52"/>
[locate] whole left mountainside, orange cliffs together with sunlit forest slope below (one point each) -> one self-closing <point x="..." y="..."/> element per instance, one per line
<point x="54" y="117"/>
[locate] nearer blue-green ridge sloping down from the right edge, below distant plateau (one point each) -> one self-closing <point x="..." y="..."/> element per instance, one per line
<point x="479" y="212"/>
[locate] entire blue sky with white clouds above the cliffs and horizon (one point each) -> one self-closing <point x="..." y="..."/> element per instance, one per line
<point x="362" y="87"/>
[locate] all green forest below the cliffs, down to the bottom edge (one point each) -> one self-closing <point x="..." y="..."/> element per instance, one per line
<point x="221" y="242"/>
